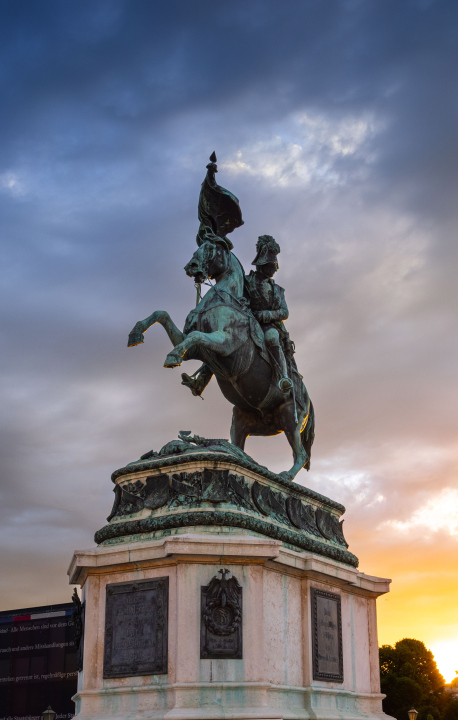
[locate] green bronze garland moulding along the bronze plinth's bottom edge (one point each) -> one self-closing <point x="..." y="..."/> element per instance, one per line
<point x="228" y="519"/>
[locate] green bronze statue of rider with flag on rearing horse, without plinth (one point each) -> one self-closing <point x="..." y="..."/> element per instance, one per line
<point x="237" y="330"/>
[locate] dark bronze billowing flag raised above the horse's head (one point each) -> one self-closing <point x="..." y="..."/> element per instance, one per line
<point x="219" y="210"/>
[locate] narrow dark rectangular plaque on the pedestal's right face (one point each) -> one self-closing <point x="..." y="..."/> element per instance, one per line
<point x="326" y="636"/>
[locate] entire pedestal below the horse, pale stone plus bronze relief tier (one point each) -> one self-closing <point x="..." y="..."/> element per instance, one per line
<point x="281" y="670"/>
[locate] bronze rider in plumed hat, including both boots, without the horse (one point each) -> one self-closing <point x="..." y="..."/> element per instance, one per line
<point x="268" y="305"/>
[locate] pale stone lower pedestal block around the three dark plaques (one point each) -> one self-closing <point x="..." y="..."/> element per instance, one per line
<point x="275" y="677"/>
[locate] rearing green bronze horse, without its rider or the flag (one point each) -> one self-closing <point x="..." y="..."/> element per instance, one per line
<point x="223" y="333"/>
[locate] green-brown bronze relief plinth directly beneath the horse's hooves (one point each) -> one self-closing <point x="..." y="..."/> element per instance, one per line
<point x="191" y="482"/>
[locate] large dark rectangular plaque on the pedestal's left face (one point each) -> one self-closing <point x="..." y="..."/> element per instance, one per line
<point x="136" y="628"/>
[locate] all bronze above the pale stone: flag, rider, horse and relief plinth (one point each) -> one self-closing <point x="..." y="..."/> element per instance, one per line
<point x="237" y="331"/>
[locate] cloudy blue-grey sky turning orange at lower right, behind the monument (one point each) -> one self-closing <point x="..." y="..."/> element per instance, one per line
<point x="335" y="123"/>
